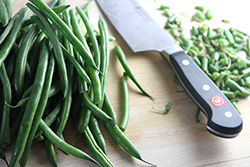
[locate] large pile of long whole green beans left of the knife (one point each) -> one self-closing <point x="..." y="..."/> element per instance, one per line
<point x="51" y="72"/>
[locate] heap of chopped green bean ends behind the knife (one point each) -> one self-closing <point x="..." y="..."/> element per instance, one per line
<point x="223" y="54"/>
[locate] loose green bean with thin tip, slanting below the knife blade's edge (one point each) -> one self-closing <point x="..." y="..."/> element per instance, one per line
<point x="121" y="56"/>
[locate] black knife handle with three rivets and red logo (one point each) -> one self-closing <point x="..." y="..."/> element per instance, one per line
<point x="222" y="118"/>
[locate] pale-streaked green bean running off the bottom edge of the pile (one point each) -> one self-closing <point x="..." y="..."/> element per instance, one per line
<point x="96" y="151"/>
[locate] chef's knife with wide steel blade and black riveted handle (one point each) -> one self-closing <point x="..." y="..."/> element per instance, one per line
<point x="142" y="33"/>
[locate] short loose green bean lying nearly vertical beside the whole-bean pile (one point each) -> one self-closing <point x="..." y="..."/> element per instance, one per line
<point x="125" y="108"/>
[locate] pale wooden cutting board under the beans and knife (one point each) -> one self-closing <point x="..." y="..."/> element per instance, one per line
<point x="173" y="139"/>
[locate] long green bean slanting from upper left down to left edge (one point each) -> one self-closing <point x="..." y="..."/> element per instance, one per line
<point x="10" y="40"/>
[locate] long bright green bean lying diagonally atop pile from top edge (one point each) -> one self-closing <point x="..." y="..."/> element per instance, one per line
<point x="65" y="30"/>
